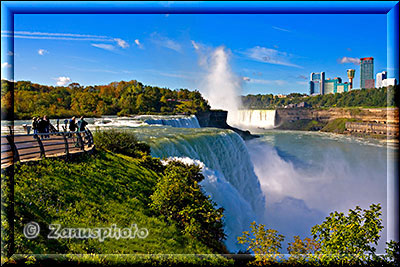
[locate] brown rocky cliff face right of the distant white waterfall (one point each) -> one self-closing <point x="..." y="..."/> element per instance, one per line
<point x="377" y="115"/>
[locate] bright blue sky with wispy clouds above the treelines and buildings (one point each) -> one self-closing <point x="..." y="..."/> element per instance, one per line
<point x="269" y="53"/>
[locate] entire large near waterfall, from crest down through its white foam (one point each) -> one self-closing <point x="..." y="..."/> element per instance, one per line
<point x="229" y="174"/>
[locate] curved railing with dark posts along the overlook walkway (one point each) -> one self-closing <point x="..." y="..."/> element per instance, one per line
<point x="27" y="147"/>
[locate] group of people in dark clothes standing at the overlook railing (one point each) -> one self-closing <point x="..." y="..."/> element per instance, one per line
<point x="44" y="127"/>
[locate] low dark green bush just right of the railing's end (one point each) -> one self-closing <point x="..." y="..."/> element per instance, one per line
<point x="119" y="141"/>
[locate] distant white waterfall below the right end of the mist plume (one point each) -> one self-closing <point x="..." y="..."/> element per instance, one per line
<point x="256" y="118"/>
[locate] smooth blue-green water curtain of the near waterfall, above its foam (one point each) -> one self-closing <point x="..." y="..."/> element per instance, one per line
<point x="223" y="151"/>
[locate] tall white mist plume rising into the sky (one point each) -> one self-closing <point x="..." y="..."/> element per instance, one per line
<point x="221" y="87"/>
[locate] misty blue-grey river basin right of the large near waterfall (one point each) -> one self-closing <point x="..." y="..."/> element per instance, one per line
<point x="301" y="188"/>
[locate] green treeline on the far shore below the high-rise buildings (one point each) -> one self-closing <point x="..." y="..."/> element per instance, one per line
<point x="380" y="97"/>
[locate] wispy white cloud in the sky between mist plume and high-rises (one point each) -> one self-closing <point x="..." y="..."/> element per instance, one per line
<point x="271" y="56"/>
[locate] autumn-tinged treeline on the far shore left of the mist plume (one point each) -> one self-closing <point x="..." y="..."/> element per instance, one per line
<point x="116" y="98"/>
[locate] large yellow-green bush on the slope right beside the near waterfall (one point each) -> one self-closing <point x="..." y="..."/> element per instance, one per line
<point x="179" y="197"/>
